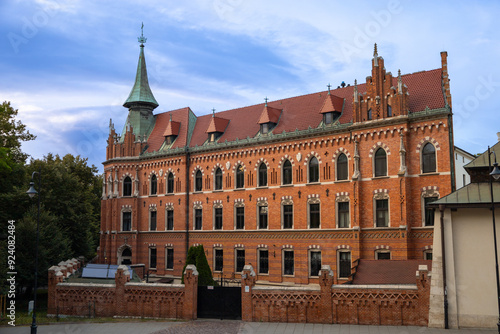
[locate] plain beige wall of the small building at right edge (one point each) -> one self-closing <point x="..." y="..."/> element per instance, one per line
<point x="470" y="269"/>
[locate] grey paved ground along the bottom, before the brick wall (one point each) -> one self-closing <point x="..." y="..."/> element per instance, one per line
<point x="229" y="327"/>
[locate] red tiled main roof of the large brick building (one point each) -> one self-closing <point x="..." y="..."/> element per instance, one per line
<point x="300" y="112"/>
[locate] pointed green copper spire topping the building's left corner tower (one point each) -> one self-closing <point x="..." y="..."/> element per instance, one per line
<point x="141" y="93"/>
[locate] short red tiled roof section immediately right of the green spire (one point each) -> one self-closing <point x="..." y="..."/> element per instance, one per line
<point x="156" y="138"/>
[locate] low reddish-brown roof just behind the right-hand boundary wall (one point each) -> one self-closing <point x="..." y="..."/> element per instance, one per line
<point x="388" y="271"/>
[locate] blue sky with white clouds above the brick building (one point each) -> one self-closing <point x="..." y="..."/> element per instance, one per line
<point x="69" y="65"/>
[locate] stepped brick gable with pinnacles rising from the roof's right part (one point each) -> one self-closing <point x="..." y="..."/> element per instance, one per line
<point x="384" y="97"/>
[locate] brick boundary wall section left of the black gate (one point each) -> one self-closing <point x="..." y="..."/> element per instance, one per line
<point x="123" y="298"/>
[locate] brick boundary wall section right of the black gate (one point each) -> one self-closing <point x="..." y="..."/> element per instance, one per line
<point x="342" y="304"/>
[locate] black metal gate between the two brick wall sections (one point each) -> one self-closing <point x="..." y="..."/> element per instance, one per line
<point x="218" y="302"/>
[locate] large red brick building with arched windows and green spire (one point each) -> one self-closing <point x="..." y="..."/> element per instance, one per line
<point x="324" y="178"/>
